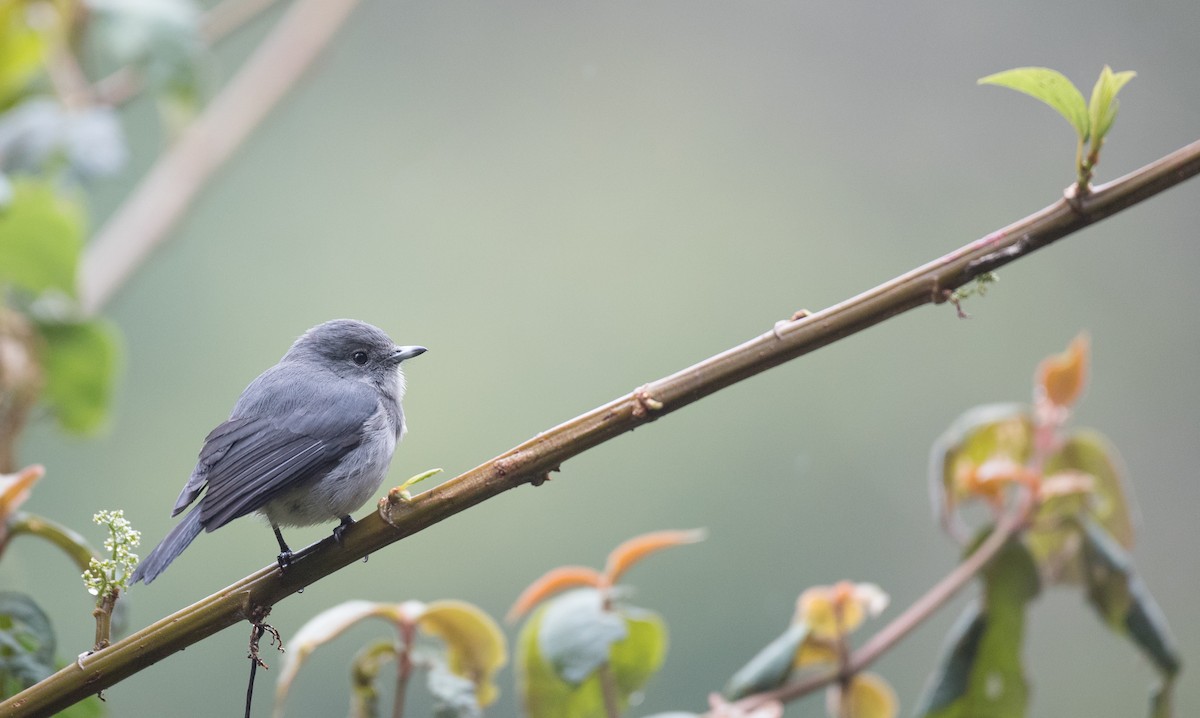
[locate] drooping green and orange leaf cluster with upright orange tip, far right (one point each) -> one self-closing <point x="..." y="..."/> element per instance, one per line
<point x="1078" y="531"/>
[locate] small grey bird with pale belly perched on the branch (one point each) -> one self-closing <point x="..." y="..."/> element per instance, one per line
<point x="309" y="441"/>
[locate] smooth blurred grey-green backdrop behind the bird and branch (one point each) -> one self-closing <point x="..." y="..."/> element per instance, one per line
<point x="565" y="201"/>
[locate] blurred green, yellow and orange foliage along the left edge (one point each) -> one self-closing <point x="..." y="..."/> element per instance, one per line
<point x="58" y="136"/>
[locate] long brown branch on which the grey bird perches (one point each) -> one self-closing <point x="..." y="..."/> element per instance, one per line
<point x="531" y="462"/>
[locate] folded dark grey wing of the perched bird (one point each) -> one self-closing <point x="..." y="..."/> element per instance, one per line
<point x="297" y="432"/>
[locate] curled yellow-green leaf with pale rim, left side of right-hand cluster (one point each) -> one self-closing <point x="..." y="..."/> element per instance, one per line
<point x="982" y="434"/>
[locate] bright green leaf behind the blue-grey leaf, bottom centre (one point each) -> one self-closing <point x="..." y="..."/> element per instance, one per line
<point x="632" y="661"/>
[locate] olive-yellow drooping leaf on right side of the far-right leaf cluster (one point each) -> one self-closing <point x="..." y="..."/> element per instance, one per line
<point x="1054" y="538"/>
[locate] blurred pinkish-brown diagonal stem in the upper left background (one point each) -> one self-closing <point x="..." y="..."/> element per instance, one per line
<point x="171" y="187"/>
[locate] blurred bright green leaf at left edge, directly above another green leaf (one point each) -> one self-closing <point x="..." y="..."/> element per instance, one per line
<point x="41" y="236"/>
